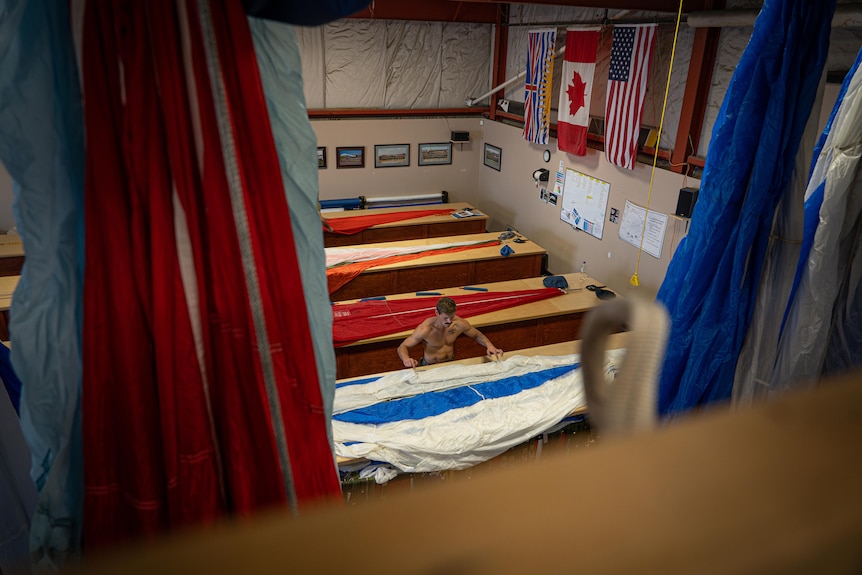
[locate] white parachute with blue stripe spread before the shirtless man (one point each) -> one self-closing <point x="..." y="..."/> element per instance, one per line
<point x="456" y="416"/>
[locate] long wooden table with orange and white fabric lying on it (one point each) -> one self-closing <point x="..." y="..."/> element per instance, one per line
<point x="478" y="265"/>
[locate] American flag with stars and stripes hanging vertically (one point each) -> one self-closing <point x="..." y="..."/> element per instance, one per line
<point x="627" y="83"/>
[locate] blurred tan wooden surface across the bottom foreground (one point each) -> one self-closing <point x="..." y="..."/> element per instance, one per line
<point x="771" y="488"/>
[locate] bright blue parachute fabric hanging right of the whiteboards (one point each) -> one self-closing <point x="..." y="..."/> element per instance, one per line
<point x="712" y="279"/>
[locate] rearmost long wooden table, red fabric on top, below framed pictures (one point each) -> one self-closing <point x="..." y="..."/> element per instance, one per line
<point x="425" y="227"/>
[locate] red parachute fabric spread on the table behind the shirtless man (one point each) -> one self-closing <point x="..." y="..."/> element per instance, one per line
<point x="352" y="322"/>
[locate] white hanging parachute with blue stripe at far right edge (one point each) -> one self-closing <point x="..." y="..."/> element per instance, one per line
<point x="822" y="328"/>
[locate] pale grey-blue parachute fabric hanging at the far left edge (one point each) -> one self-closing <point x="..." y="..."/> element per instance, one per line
<point x="42" y="147"/>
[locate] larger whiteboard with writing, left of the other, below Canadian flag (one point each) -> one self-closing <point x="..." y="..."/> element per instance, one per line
<point x="584" y="202"/>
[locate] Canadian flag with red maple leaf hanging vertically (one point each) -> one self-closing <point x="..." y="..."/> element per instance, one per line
<point x="576" y="88"/>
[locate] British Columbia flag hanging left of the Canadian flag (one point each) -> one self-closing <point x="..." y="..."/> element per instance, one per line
<point x="540" y="68"/>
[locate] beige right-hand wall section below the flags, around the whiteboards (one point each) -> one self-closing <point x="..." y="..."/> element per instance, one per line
<point x="510" y="197"/>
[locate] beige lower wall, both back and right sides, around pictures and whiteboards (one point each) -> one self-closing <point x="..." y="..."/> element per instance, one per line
<point x="510" y="196"/>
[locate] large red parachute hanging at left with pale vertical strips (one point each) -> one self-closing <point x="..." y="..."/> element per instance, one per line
<point x="176" y="433"/>
